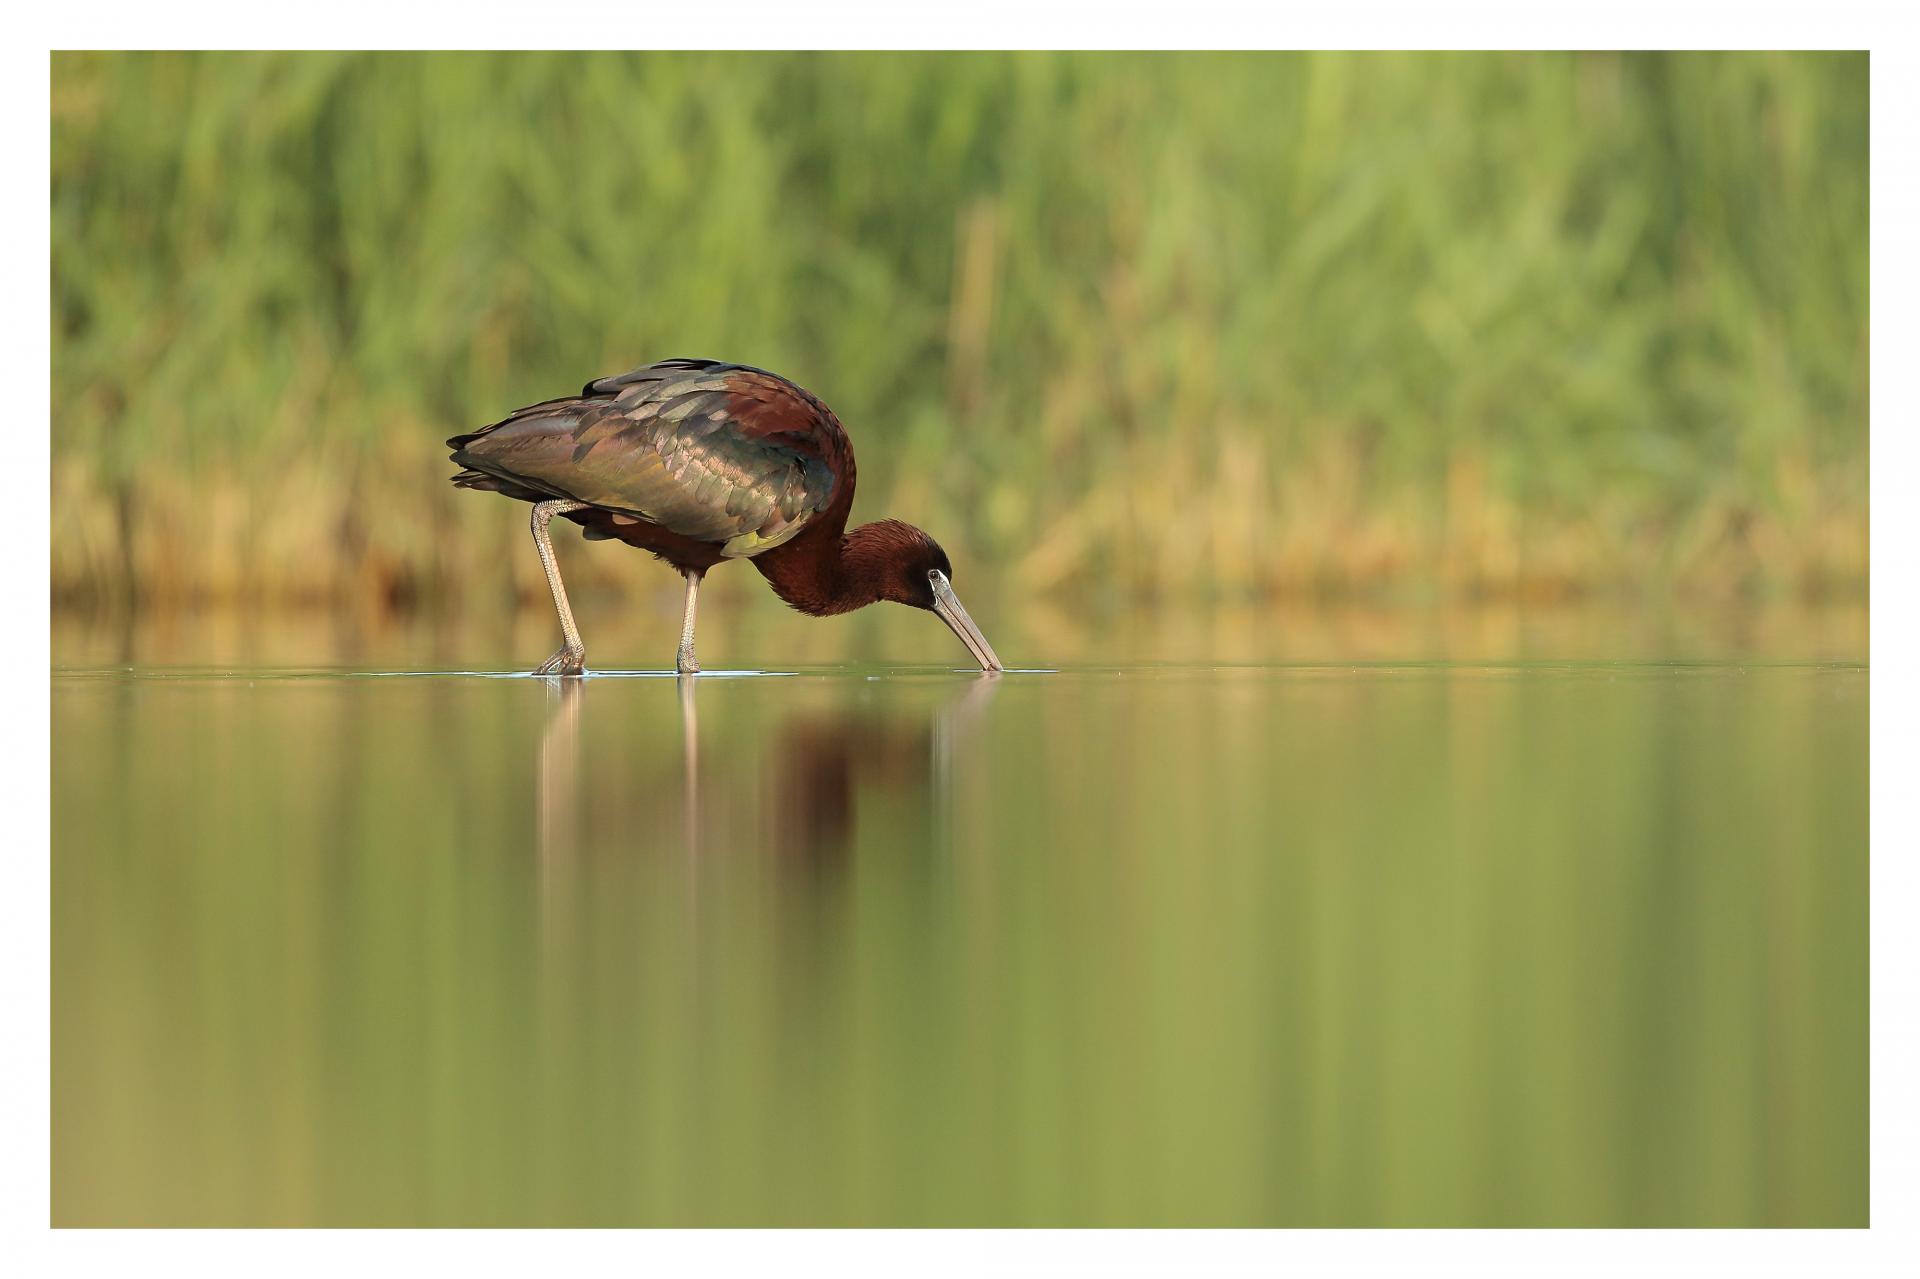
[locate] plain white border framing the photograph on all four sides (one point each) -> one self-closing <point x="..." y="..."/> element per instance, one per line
<point x="997" y="24"/>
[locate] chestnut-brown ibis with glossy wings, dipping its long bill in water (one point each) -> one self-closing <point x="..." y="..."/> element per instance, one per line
<point x="702" y="462"/>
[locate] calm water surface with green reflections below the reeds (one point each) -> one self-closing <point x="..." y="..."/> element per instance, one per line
<point x="1502" y="940"/>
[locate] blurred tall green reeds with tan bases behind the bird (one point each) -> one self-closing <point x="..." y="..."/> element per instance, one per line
<point x="1237" y="326"/>
